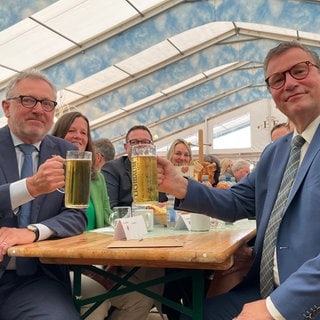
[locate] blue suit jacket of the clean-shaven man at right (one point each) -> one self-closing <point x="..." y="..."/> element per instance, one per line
<point x="298" y="242"/>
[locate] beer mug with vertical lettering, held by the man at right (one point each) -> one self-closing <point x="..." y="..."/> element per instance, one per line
<point x="144" y="174"/>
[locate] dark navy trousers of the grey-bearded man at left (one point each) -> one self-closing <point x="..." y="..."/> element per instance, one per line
<point x="35" y="297"/>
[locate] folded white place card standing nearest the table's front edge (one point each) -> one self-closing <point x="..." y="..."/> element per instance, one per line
<point x="130" y="228"/>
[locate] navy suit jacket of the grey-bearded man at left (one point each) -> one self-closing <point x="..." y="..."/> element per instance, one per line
<point x="47" y="209"/>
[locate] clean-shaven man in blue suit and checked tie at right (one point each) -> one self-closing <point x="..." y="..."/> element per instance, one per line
<point x="293" y="79"/>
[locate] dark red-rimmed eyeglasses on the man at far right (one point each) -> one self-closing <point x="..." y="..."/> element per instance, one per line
<point x="299" y="71"/>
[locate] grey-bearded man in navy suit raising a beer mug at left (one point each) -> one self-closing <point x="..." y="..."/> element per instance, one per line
<point x="28" y="288"/>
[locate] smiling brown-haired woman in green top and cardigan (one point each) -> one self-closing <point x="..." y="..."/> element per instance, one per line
<point x="74" y="127"/>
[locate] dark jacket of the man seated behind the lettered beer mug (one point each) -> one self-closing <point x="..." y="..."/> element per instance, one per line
<point x="117" y="174"/>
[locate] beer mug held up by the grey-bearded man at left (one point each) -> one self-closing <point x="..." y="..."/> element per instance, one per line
<point x="78" y="176"/>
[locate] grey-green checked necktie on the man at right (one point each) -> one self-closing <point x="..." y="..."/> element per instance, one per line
<point x="266" y="266"/>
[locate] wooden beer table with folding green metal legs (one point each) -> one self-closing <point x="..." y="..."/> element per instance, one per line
<point x="192" y="252"/>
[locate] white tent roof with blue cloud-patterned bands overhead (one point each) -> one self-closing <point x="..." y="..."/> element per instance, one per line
<point x="176" y="66"/>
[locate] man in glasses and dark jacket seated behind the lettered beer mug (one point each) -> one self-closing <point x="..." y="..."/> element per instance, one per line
<point x="117" y="173"/>
